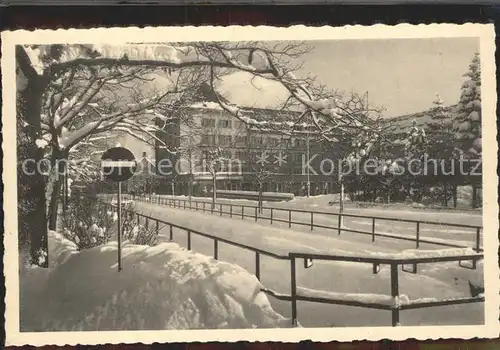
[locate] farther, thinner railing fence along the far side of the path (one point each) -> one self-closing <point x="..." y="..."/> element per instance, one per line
<point x="254" y="212"/>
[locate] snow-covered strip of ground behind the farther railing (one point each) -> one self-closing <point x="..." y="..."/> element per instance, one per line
<point x="461" y="236"/>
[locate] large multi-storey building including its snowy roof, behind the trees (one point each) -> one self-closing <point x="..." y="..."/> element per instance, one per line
<point x="251" y="153"/>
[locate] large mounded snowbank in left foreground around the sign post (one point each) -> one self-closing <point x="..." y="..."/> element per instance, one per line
<point x="161" y="287"/>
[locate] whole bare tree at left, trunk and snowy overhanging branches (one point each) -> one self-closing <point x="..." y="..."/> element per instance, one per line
<point x="66" y="105"/>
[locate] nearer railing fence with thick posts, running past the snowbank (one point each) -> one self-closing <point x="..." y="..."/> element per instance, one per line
<point x="382" y="302"/>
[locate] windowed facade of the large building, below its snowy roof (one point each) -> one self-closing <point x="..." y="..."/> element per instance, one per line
<point x="208" y="128"/>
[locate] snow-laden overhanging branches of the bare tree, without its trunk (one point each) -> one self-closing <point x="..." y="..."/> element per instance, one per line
<point x="68" y="68"/>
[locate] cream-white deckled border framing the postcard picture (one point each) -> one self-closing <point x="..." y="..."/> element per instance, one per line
<point x="485" y="32"/>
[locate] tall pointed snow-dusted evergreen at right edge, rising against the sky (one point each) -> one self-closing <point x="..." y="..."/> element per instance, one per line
<point x="468" y="124"/>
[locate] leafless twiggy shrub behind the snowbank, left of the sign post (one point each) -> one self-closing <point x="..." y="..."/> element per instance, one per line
<point x="87" y="223"/>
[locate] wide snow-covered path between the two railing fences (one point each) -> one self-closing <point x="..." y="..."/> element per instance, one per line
<point x="433" y="280"/>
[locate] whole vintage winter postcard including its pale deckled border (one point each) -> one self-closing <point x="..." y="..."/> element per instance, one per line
<point x="184" y="184"/>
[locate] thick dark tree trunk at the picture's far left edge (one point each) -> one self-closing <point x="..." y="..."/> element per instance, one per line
<point x="32" y="221"/>
